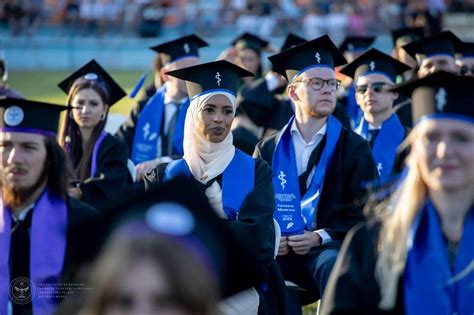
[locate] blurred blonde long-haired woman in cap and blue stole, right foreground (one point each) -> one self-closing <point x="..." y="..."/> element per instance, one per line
<point x="416" y="255"/>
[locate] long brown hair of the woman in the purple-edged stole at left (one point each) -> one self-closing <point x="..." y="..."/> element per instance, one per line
<point x="70" y="136"/>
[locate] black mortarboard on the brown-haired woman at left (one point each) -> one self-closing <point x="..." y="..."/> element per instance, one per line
<point x="94" y="72"/>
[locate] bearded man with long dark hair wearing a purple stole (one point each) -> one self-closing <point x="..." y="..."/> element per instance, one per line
<point x="43" y="240"/>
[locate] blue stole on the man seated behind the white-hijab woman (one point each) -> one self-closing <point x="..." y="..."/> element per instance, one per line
<point x="149" y="126"/>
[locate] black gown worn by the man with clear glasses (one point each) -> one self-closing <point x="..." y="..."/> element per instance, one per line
<point x="343" y="195"/>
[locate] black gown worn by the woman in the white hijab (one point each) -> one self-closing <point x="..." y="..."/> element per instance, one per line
<point x="254" y="229"/>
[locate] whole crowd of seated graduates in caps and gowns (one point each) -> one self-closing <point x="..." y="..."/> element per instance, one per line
<point x="343" y="174"/>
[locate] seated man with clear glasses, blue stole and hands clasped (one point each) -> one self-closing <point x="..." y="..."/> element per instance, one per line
<point x="319" y="168"/>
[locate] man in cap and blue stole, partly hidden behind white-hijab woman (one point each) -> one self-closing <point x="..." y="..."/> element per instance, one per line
<point x="154" y="131"/>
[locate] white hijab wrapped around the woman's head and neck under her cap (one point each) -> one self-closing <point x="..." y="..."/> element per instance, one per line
<point x="207" y="160"/>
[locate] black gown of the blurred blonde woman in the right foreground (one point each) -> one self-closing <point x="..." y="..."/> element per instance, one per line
<point x="352" y="287"/>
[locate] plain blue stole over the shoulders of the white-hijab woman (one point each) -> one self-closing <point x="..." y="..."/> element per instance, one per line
<point x="237" y="180"/>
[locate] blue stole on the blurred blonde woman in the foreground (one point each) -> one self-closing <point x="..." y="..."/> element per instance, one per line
<point x="430" y="285"/>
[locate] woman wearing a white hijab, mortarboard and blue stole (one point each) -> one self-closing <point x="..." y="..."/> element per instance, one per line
<point x="238" y="187"/>
